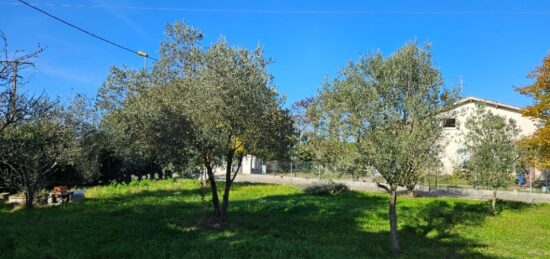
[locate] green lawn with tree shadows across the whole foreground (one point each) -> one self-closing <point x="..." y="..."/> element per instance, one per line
<point x="163" y="219"/>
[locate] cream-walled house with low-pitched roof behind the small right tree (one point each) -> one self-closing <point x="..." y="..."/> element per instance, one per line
<point x="455" y="130"/>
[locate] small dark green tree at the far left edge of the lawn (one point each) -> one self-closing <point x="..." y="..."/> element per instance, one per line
<point x="34" y="149"/>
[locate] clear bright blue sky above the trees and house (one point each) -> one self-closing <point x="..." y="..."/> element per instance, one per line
<point x="491" y="45"/>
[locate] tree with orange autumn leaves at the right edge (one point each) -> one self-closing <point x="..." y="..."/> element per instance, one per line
<point x="538" y="144"/>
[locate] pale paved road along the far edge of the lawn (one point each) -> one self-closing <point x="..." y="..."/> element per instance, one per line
<point x="422" y="191"/>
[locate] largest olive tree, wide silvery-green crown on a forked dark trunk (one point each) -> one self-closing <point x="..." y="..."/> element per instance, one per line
<point x="205" y="107"/>
